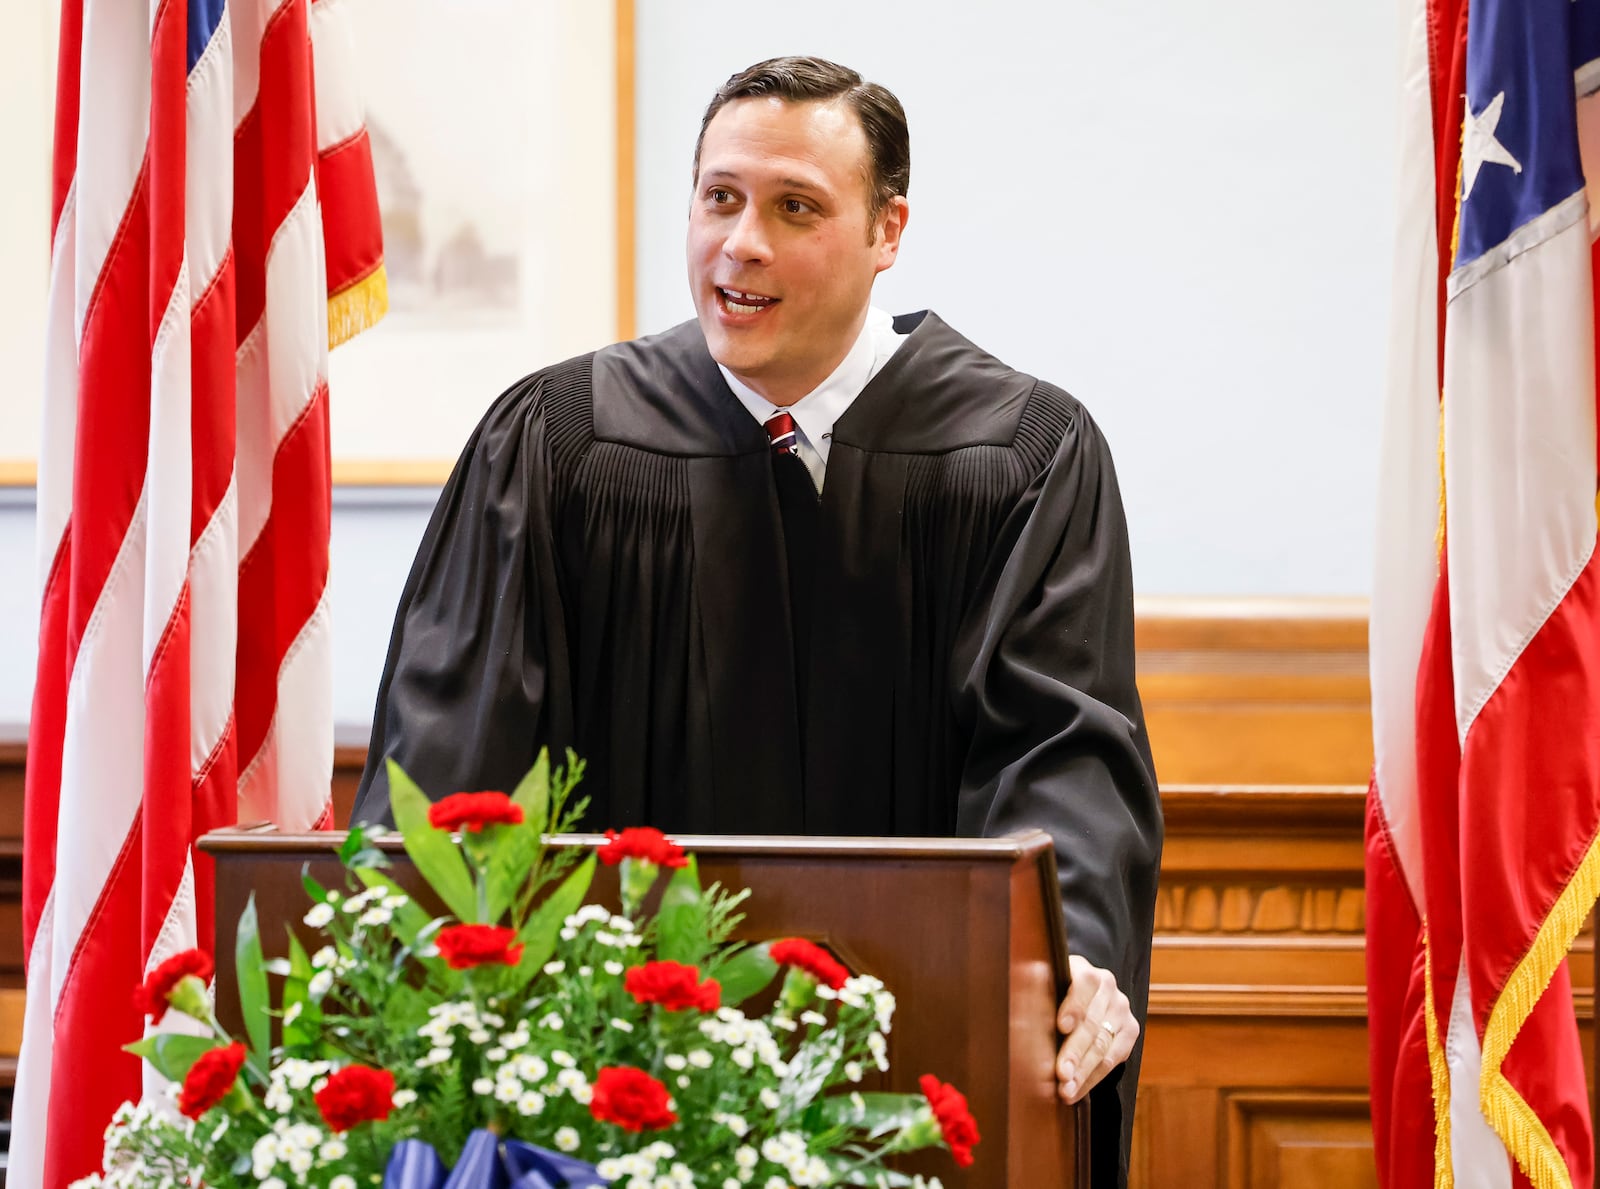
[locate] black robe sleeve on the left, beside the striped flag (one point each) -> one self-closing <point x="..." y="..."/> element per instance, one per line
<point x="465" y="697"/>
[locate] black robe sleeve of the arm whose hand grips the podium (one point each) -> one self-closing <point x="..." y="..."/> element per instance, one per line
<point x="1046" y="686"/>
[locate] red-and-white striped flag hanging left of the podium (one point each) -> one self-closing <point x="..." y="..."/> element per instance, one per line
<point x="215" y="230"/>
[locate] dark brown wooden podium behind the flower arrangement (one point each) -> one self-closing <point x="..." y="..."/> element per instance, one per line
<point x="967" y="934"/>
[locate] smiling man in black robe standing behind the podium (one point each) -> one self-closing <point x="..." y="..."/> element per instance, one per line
<point x="903" y="609"/>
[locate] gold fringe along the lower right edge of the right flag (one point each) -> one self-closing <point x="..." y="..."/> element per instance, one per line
<point x="1513" y="1119"/>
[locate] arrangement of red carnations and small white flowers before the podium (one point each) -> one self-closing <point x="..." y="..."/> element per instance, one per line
<point x="524" y="1030"/>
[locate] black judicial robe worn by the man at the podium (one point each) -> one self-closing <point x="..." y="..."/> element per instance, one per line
<point x="607" y="570"/>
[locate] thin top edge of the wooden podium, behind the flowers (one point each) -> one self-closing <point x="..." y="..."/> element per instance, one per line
<point x="265" y="839"/>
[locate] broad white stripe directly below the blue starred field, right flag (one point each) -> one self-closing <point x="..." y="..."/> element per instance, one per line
<point x="1519" y="444"/>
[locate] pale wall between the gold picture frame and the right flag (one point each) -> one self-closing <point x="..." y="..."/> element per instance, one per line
<point x="1178" y="212"/>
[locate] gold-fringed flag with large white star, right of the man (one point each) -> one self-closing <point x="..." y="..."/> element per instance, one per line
<point x="1482" y="822"/>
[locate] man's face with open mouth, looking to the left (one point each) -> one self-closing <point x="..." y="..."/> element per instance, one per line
<point x="782" y="249"/>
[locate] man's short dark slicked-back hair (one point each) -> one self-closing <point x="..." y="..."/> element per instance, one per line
<point x="817" y="79"/>
